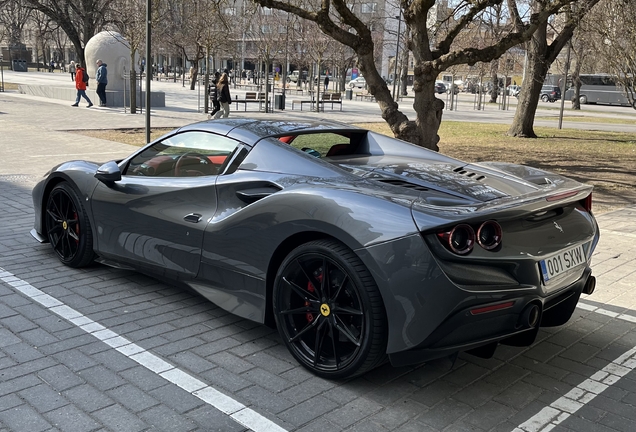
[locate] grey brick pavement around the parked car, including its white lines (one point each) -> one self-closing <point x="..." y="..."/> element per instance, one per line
<point x="105" y="349"/>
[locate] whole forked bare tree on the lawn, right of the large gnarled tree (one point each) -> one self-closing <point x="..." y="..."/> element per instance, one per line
<point x="541" y="55"/>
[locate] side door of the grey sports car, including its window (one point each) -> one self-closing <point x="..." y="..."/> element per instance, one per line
<point x="155" y="216"/>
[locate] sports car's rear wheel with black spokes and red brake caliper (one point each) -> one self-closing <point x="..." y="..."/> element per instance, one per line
<point x="338" y="330"/>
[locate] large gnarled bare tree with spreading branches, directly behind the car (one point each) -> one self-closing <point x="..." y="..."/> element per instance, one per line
<point x="339" y="22"/>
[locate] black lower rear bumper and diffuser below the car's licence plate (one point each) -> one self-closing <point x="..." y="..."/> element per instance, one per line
<point x="466" y="330"/>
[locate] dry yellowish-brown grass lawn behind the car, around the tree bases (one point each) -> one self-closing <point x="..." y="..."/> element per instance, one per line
<point x="606" y="160"/>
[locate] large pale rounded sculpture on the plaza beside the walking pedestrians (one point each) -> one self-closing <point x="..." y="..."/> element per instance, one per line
<point x="111" y="48"/>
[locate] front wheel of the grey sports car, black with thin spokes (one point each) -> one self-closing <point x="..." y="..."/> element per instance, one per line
<point x="68" y="228"/>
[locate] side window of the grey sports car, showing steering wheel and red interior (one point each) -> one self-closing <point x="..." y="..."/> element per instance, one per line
<point x="187" y="154"/>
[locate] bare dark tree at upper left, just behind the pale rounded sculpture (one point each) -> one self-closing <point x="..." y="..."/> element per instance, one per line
<point x="80" y="20"/>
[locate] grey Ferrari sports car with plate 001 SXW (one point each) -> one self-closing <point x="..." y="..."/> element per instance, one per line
<point x="357" y="246"/>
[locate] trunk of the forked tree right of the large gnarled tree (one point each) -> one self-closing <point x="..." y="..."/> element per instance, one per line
<point x="523" y="122"/>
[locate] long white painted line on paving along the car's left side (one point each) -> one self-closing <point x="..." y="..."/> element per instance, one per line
<point x="237" y="411"/>
